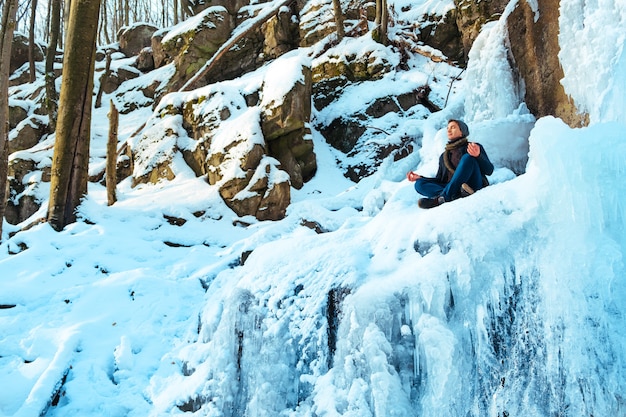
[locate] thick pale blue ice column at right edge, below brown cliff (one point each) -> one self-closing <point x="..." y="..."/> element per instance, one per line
<point x="582" y="262"/>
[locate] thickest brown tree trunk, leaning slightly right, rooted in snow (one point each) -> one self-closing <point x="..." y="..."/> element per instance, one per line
<point x="70" y="161"/>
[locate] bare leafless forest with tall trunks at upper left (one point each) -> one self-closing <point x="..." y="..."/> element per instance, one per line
<point x="75" y="27"/>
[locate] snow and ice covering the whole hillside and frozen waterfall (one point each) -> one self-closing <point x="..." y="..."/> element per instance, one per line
<point x="507" y="303"/>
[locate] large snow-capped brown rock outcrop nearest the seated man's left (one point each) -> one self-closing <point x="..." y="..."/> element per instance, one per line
<point x="253" y="145"/>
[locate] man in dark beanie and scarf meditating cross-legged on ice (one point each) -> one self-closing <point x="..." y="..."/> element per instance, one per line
<point x="463" y="169"/>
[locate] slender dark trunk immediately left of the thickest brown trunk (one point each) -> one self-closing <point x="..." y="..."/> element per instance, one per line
<point x="50" y="78"/>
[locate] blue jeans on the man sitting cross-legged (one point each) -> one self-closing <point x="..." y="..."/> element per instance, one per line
<point x="467" y="171"/>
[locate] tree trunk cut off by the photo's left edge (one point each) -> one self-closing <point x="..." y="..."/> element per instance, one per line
<point x="8" y="26"/>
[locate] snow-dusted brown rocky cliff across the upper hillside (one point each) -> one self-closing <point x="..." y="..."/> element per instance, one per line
<point x="226" y="40"/>
